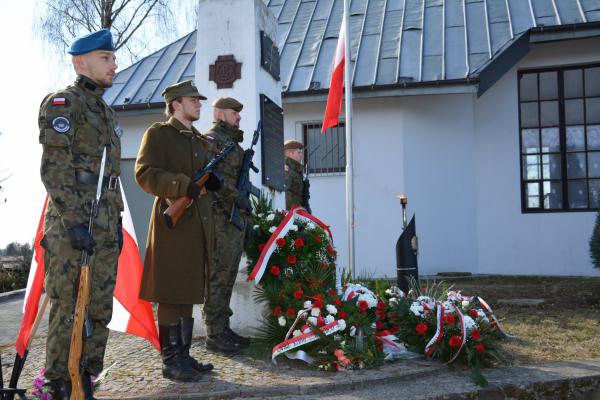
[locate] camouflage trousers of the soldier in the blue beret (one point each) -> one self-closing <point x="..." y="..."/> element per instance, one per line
<point x="61" y="268"/>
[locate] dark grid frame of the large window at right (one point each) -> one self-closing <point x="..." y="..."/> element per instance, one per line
<point x="563" y="152"/>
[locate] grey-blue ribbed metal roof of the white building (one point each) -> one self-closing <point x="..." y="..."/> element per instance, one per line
<point x="393" y="42"/>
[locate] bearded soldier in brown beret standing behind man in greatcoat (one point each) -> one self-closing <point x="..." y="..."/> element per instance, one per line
<point x="229" y="240"/>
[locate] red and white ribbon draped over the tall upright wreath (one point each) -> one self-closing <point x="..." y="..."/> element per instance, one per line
<point x="296" y="212"/>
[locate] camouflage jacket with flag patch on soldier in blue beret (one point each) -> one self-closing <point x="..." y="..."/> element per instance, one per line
<point x="75" y="125"/>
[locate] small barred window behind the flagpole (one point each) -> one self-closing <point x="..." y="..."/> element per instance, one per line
<point x="324" y="153"/>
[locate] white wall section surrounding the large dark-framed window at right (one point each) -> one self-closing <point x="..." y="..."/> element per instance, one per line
<point x="511" y="242"/>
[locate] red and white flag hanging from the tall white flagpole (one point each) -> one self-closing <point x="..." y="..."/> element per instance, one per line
<point x="336" y="86"/>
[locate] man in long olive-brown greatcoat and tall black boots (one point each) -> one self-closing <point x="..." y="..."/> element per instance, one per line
<point x="176" y="258"/>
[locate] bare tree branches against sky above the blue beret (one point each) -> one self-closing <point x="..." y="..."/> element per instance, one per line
<point x="132" y="22"/>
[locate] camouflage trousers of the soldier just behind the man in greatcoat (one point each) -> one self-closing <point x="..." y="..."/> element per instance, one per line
<point x="229" y="245"/>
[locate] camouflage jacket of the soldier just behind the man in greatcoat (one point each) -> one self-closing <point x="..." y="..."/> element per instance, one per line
<point x="222" y="133"/>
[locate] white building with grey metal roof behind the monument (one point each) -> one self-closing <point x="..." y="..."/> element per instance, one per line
<point x="485" y="113"/>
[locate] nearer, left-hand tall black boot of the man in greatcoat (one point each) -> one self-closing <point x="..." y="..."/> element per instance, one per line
<point x="175" y="365"/>
